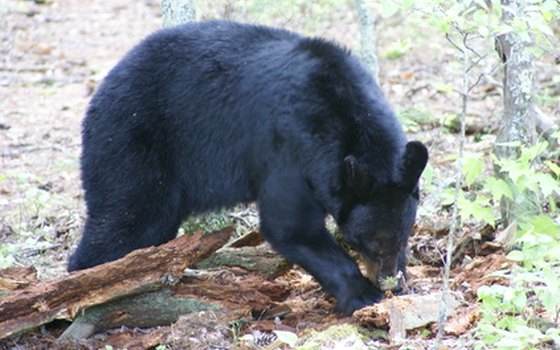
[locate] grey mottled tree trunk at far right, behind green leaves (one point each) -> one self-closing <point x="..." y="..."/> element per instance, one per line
<point x="518" y="120"/>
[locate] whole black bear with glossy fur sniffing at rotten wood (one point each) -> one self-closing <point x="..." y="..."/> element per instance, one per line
<point x="207" y="115"/>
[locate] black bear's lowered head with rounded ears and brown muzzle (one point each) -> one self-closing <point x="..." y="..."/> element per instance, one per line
<point x="377" y="217"/>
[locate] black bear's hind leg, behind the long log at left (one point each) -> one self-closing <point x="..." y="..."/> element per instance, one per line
<point x="145" y="216"/>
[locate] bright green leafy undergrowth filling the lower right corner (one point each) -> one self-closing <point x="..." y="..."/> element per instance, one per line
<point x="508" y="312"/>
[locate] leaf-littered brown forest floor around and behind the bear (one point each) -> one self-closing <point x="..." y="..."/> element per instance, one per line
<point x="52" y="57"/>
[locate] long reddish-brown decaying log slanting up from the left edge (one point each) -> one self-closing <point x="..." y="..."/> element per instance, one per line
<point x="141" y="271"/>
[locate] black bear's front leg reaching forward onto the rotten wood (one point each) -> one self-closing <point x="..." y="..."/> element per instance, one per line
<point x="294" y="224"/>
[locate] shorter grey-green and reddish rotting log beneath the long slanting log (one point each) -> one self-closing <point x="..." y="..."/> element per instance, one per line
<point x="247" y="296"/>
